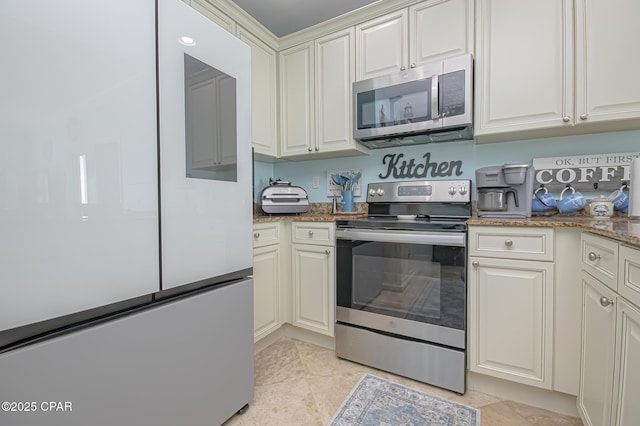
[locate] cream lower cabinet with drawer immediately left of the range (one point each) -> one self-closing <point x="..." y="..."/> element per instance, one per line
<point x="313" y="268"/>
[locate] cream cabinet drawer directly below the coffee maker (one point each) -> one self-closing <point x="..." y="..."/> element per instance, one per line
<point x="511" y="242"/>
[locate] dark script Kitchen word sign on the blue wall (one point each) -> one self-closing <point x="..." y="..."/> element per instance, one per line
<point x="399" y="168"/>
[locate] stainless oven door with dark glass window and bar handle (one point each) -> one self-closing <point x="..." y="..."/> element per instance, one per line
<point x="406" y="283"/>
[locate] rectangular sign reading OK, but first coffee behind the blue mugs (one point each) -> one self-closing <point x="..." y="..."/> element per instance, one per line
<point x="585" y="173"/>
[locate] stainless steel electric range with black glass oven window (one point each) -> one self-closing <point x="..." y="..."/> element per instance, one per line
<point x="401" y="281"/>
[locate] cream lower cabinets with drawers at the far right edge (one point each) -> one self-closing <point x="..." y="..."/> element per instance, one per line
<point x="610" y="352"/>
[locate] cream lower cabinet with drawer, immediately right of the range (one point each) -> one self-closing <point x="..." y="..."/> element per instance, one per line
<point x="511" y="304"/>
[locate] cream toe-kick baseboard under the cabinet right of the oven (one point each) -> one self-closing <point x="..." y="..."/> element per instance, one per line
<point x="542" y="398"/>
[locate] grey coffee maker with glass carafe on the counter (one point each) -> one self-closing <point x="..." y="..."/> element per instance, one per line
<point x="505" y="191"/>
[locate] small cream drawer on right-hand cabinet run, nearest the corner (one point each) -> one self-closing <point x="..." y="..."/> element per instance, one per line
<point x="600" y="258"/>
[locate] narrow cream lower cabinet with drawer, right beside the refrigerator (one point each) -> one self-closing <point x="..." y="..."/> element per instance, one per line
<point x="266" y="279"/>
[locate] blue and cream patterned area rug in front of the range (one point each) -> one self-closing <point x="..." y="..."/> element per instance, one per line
<point x="375" y="401"/>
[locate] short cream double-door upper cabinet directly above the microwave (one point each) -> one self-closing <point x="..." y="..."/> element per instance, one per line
<point x="426" y="32"/>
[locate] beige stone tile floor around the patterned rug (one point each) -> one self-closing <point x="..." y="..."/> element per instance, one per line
<point x="297" y="383"/>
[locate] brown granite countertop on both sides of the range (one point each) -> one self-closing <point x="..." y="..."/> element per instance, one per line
<point x="618" y="227"/>
